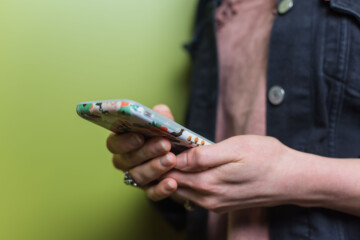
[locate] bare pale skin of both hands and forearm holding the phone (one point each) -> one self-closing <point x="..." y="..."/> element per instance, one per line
<point x="238" y="173"/>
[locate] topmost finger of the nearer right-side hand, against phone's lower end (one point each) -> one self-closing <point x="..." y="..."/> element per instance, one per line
<point x="205" y="157"/>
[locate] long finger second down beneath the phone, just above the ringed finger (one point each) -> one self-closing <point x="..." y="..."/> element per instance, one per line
<point x="153" y="148"/>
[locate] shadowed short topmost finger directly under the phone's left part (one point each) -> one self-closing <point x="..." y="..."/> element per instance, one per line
<point x="124" y="143"/>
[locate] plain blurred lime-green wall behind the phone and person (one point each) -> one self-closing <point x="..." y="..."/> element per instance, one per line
<point x="56" y="176"/>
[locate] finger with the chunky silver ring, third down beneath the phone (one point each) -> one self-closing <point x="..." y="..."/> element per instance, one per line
<point x="153" y="169"/>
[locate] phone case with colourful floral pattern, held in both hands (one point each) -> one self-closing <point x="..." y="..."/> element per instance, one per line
<point x="123" y="116"/>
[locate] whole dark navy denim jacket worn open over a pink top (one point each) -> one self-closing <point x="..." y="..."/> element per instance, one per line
<point x="315" y="57"/>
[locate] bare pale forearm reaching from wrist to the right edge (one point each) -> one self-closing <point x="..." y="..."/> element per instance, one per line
<point x="326" y="182"/>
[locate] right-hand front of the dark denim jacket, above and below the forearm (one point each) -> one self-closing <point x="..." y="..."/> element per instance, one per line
<point x="315" y="56"/>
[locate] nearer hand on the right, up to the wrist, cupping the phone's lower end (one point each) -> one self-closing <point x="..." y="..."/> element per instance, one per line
<point x="240" y="172"/>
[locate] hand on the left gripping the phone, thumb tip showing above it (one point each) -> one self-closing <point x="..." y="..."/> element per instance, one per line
<point x="146" y="160"/>
